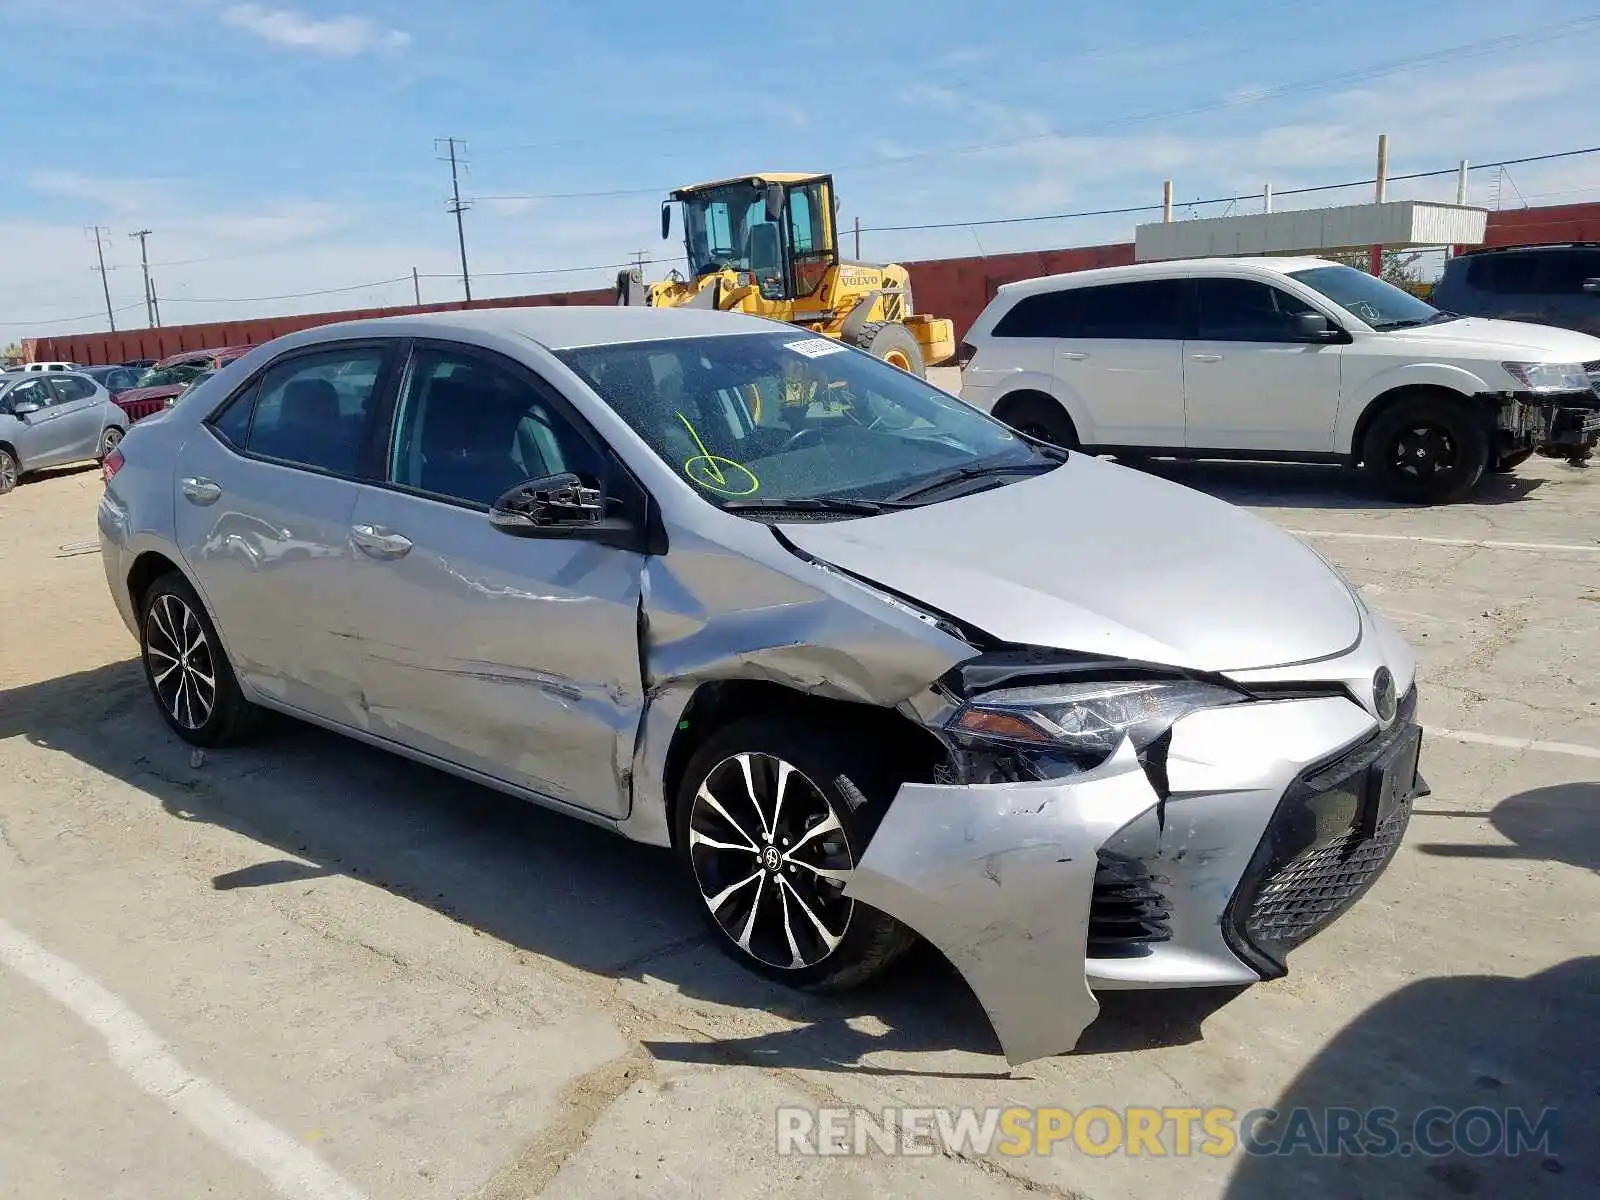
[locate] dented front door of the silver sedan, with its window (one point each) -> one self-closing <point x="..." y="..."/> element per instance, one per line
<point x="516" y="658"/>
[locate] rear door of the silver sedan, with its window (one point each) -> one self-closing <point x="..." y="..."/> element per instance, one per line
<point x="263" y="502"/>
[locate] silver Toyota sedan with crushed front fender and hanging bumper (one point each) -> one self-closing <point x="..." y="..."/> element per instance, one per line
<point x="868" y="662"/>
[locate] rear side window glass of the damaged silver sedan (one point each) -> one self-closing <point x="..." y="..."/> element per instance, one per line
<point x="313" y="410"/>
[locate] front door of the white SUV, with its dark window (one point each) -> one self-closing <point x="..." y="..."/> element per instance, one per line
<point x="1250" y="380"/>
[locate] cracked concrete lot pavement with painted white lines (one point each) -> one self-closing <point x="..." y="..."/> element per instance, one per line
<point x="314" y="970"/>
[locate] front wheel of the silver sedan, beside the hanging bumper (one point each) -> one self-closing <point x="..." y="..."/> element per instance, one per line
<point x="772" y="817"/>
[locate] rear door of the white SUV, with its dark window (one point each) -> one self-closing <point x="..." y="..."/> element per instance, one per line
<point x="1119" y="354"/>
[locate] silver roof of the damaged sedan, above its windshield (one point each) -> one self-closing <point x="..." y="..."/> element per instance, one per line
<point x="562" y="327"/>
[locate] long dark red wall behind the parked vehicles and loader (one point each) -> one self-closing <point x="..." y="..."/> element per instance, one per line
<point x="953" y="287"/>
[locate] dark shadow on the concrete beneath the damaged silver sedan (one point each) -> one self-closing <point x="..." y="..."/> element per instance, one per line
<point x="322" y="806"/>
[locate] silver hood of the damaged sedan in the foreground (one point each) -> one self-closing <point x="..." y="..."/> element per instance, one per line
<point x="1105" y="559"/>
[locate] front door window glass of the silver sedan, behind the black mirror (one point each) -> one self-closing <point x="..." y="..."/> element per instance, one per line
<point x="471" y="430"/>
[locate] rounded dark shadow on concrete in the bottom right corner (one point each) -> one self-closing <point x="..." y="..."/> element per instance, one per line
<point x="1498" y="1062"/>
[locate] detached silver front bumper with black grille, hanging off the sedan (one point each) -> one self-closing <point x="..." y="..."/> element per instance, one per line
<point x="1266" y="823"/>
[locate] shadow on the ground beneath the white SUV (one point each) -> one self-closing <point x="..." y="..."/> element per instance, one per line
<point x="1287" y="486"/>
